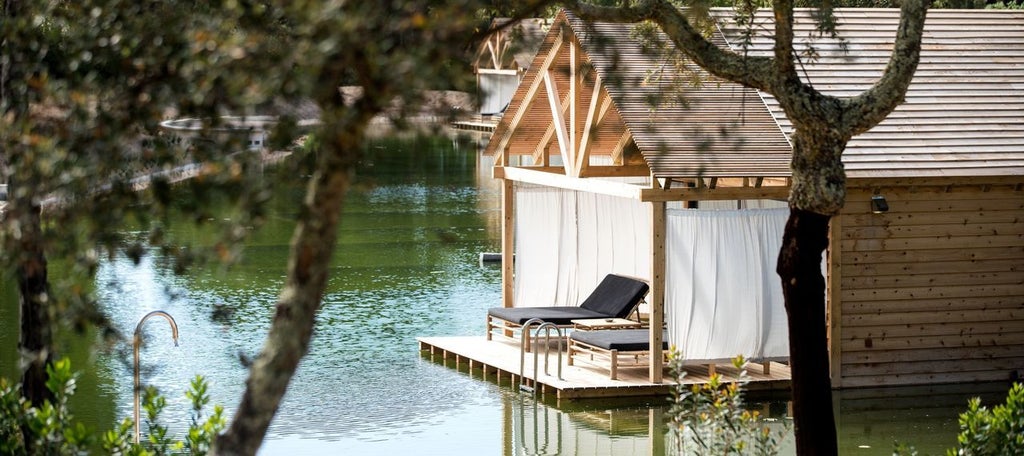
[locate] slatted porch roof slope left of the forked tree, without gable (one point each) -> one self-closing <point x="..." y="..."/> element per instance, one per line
<point x="714" y="129"/>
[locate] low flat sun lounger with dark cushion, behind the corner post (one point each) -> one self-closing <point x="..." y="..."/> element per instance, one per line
<point x="608" y="349"/>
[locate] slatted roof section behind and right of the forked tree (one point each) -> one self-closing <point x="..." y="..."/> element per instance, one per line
<point x="964" y="112"/>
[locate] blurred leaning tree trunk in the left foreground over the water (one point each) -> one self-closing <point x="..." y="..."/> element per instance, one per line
<point x="313" y="245"/>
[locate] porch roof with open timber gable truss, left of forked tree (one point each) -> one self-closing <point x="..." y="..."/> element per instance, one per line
<point x="596" y="103"/>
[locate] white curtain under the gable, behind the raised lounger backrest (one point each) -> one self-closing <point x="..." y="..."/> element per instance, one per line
<point x="568" y="241"/>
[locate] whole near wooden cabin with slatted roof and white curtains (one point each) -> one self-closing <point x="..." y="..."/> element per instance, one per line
<point x="611" y="164"/>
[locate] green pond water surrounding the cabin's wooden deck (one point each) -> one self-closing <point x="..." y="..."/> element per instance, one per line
<point x="406" y="267"/>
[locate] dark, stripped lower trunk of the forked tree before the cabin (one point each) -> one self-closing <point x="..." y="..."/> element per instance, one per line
<point x="805" y="239"/>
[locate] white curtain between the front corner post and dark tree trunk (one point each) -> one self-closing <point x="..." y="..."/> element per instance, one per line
<point x="722" y="296"/>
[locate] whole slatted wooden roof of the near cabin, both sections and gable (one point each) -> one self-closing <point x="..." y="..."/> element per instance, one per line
<point x="964" y="114"/>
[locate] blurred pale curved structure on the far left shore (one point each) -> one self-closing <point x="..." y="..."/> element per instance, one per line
<point x="251" y="131"/>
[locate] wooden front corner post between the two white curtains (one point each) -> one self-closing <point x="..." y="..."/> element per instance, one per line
<point x="657" y="302"/>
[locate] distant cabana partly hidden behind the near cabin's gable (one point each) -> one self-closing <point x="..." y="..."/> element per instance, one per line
<point x="503" y="59"/>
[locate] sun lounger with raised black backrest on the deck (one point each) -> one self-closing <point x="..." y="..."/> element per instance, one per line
<point x="615" y="298"/>
